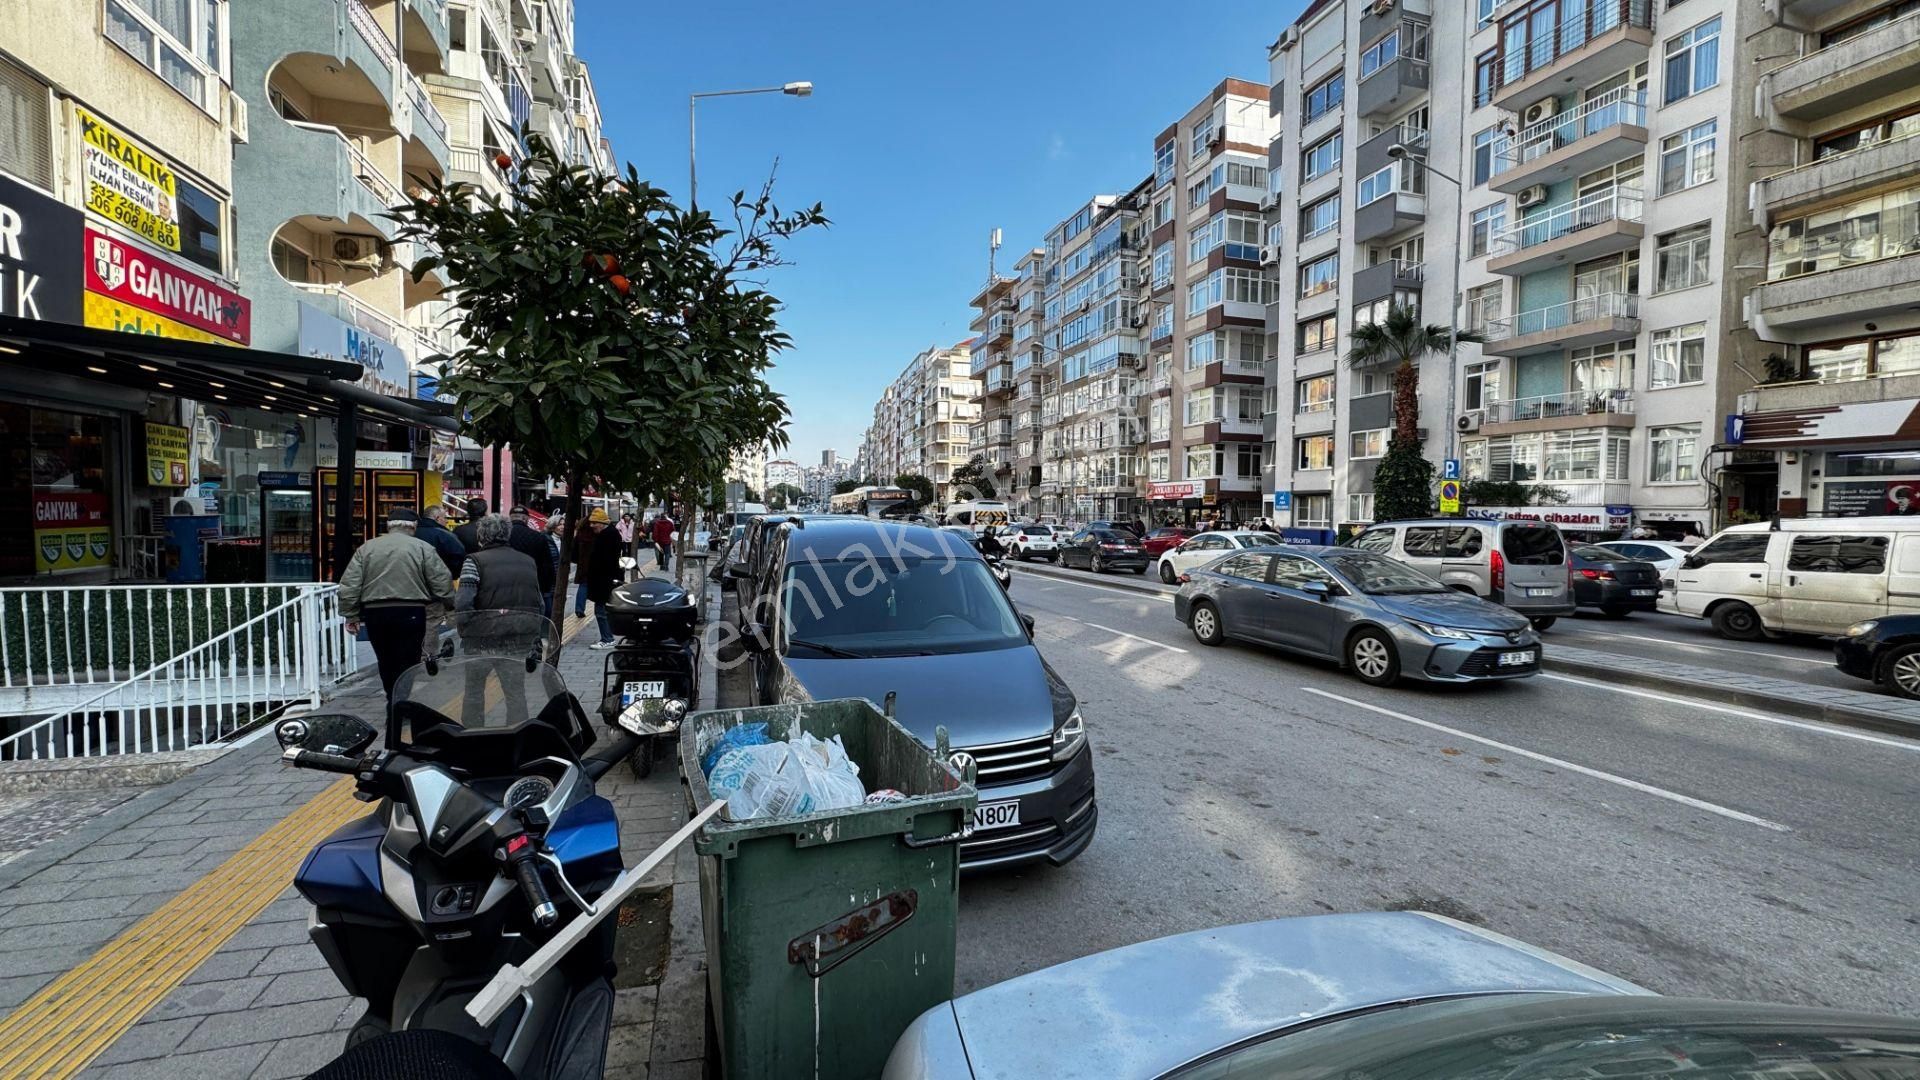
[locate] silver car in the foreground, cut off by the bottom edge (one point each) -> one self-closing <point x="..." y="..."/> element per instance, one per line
<point x="1372" y="996"/>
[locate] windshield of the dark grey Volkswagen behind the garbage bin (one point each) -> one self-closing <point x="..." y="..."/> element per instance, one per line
<point x="884" y="606"/>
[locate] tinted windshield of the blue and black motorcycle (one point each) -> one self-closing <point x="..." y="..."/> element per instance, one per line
<point x="483" y="670"/>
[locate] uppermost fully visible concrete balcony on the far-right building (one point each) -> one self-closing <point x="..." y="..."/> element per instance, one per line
<point x="1842" y="78"/>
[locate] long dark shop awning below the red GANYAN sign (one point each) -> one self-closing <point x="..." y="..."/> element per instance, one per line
<point x="258" y="380"/>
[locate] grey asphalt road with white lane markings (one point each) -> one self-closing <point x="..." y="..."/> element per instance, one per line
<point x="1692" y="848"/>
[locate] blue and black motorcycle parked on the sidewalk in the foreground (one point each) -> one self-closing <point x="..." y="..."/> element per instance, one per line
<point x="487" y="831"/>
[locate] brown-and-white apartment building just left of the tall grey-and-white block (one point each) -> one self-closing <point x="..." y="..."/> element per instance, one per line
<point x="1207" y="316"/>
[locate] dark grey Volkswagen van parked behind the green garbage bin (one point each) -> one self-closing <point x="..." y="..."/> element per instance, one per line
<point x="852" y="610"/>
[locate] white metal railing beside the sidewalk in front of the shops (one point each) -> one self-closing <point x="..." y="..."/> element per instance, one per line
<point x="214" y="679"/>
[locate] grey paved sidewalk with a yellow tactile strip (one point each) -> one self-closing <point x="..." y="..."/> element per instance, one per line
<point x="256" y="998"/>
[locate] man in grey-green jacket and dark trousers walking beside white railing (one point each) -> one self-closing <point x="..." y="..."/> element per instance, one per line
<point x="387" y="587"/>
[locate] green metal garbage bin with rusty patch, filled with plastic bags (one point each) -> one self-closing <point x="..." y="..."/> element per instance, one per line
<point x="828" y="933"/>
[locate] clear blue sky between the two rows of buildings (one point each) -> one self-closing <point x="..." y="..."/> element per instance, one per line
<point x="932" y="124"/>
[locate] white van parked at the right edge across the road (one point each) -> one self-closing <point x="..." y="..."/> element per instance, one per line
<point x="1804" y="576"/>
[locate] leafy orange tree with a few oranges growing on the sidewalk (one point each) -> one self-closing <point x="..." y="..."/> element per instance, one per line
<point x="610" y="335"/>
